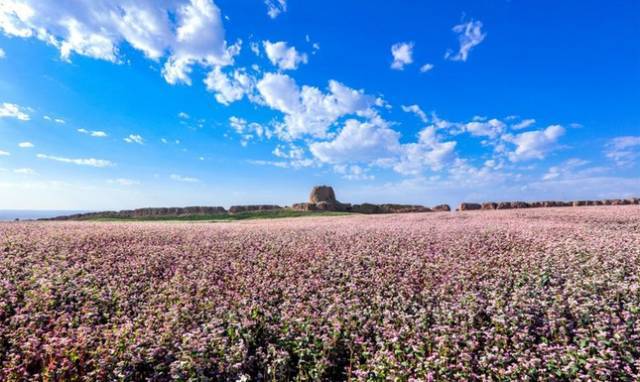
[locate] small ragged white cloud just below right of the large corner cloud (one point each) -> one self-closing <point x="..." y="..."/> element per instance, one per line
<point x="227" y="88"/>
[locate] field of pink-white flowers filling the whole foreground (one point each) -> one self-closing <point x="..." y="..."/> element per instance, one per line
<point x="544" y="294"/>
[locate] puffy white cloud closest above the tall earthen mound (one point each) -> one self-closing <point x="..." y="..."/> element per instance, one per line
<point x="359" y="142"/>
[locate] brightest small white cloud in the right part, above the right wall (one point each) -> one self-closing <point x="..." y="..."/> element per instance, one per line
<point x="534" y="144"/>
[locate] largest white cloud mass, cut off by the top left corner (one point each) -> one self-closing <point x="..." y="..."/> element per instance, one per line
<point x="185" y="32"/>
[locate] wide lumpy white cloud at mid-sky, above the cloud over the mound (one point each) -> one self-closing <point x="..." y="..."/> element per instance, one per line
<point x="309" y="111"/>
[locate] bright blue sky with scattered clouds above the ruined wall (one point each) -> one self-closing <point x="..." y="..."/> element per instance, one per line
<point x="118" y="104"/>
